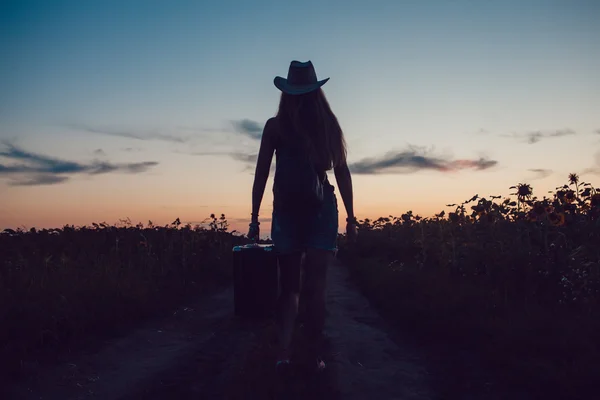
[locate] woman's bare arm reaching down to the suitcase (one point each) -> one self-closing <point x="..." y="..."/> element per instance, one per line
<point x="263" y="166"/>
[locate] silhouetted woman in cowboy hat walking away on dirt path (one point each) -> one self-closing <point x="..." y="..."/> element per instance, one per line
<point x="308" y="141"/>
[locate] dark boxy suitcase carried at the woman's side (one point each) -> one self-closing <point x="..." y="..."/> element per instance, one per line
<point x="256" y="281"/>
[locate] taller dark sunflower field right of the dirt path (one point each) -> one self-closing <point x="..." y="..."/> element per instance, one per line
<point x="517" y="278"/>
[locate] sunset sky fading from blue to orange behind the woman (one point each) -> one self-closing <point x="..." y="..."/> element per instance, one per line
<point x="153" y="110"/>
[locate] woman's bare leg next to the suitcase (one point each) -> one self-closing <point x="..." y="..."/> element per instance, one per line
<point x="289" y="273"/>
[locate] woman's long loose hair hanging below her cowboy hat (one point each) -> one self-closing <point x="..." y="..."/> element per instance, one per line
<point x="310" y="116"/>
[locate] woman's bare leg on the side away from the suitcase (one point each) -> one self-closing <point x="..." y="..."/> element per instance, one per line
<point x="316" y="264"/>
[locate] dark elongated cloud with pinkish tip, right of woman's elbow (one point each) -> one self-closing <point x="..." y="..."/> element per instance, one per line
<point x="414" y="160"/>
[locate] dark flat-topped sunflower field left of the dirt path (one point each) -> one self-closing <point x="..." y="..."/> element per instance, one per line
<point x="61" y="288"/>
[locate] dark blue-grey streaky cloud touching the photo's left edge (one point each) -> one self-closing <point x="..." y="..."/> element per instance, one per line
<point x="37" y="169"/>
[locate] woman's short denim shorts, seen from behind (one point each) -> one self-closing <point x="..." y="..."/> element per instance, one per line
<point x="291" y="234"/>
